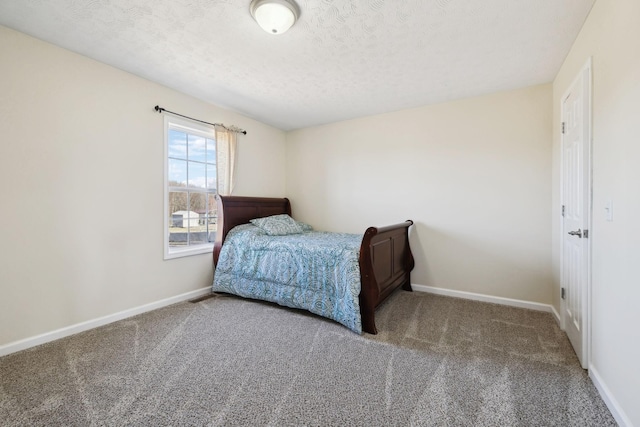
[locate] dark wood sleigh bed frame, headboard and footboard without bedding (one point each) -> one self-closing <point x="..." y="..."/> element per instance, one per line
<point x="385" y="257"/>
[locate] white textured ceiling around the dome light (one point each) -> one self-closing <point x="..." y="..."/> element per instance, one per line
<point x="343" y="59"/>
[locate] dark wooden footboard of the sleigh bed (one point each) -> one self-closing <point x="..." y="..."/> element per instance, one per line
<point x="386" y="262"/>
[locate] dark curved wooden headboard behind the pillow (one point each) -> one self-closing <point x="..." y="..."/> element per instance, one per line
<point x="236" y="210"/>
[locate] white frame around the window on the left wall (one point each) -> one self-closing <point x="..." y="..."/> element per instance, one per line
<point x="192" y="128"/>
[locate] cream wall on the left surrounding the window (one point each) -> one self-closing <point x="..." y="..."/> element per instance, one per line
<point x="81" y="167"/>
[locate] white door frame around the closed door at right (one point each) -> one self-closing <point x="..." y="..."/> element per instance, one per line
<point x="585" y="73"/>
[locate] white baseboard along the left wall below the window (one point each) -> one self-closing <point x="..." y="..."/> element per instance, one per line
<point x="94" y="323"/>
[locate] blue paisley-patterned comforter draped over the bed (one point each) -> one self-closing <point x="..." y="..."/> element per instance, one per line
<point x="314" y="271"/>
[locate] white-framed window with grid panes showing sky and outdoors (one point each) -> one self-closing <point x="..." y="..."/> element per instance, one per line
<point x="190" y="188"/>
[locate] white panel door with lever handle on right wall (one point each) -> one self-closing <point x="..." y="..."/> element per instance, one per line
<point x="576" y="192"/>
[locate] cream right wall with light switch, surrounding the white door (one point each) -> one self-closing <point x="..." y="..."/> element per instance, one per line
<point x="611" y="37"/>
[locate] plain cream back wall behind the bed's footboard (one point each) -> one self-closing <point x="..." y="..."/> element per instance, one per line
<point x="474" y="175"/>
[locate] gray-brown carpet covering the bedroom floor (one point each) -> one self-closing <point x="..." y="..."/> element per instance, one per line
<point x="225" y="361"/>
